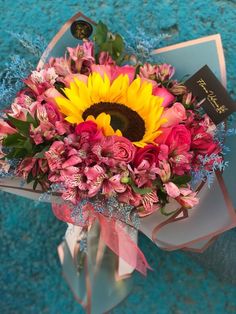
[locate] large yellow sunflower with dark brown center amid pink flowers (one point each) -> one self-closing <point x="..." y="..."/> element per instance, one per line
<point x="118" y="107"/>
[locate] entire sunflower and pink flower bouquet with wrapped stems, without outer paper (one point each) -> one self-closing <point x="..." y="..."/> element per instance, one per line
<point x="110" y="141"/>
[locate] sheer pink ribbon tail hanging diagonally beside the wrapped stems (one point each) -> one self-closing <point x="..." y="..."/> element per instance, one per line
<point x="112" y="233"/>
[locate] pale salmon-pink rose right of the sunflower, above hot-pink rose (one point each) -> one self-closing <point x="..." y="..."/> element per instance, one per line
<point x="174" y="115"/>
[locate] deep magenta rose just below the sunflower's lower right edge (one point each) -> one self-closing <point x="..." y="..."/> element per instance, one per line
<point x="149" y="153"/>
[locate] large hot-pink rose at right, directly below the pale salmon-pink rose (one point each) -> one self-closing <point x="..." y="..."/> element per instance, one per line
<point x="177" y="138"/>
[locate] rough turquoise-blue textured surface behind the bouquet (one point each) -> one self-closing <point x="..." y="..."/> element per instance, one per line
<point x="30" y="278"/>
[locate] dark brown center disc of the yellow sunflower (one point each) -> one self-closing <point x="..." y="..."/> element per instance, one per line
<point x="123" y="118"/>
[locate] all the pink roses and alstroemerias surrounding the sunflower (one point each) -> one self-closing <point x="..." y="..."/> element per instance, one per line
<point x="87" y="163"/>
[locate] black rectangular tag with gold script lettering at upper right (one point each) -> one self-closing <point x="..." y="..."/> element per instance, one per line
<point x="205" y="86"/>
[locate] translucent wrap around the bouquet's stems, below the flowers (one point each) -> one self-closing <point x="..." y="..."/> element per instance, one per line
<point x="93" y="275"/>
